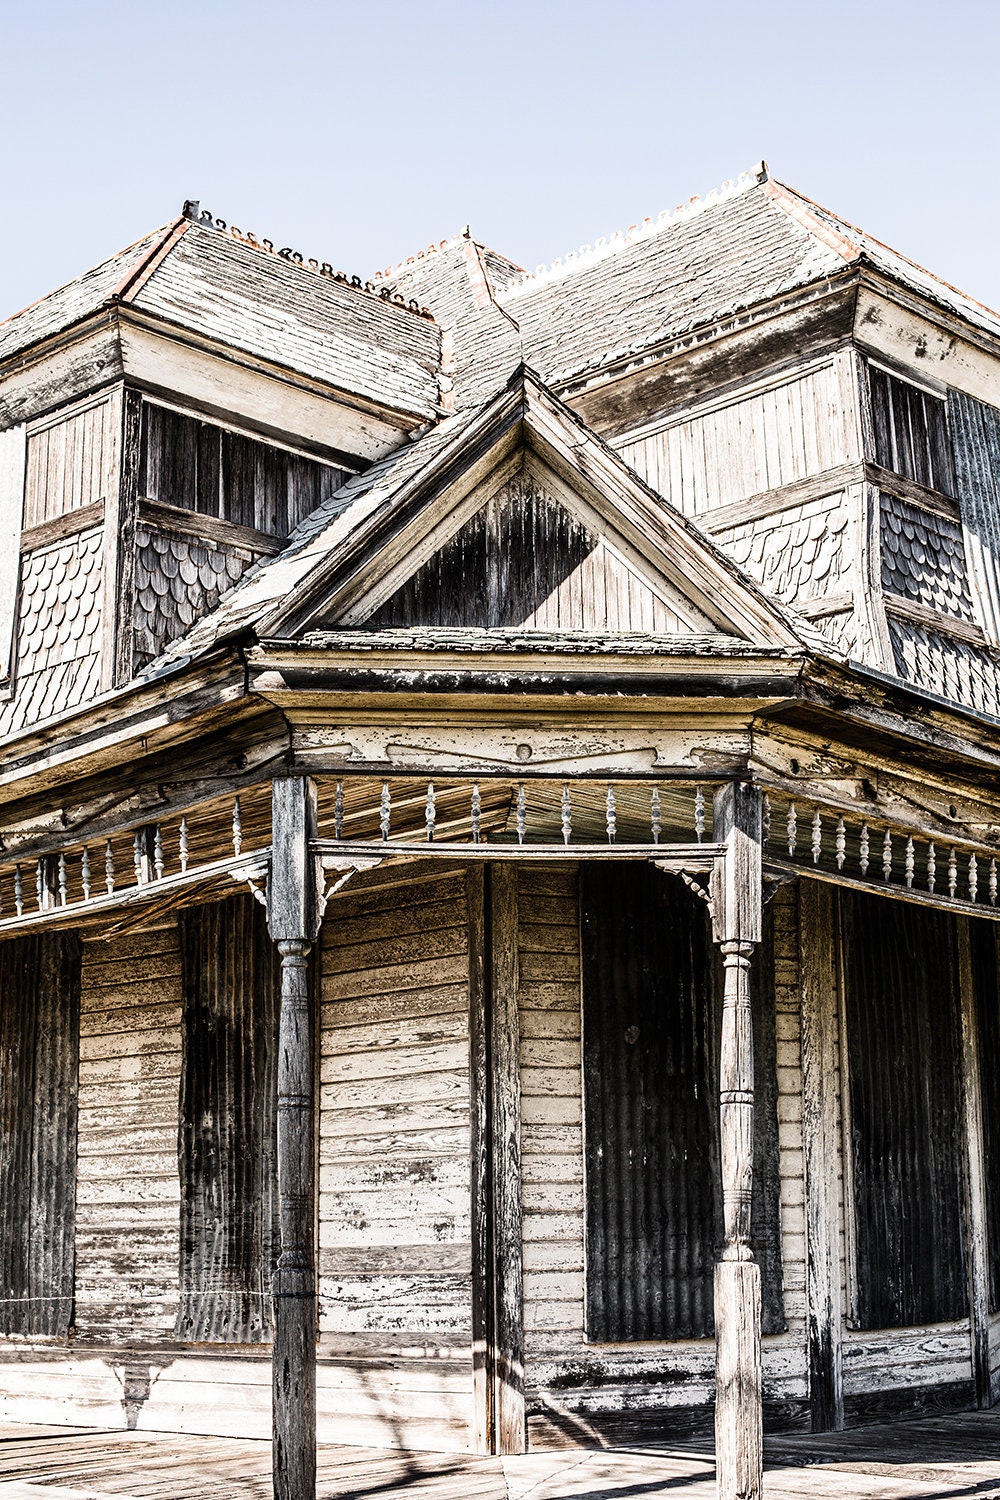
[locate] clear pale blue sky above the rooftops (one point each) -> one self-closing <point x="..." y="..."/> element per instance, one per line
<point x="361" y="133"/>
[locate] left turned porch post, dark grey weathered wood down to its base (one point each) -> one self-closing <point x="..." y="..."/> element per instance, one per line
<point x="295" y="922"/>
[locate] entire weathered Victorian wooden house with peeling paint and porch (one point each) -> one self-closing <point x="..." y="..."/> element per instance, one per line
<point x="500" y="841"/>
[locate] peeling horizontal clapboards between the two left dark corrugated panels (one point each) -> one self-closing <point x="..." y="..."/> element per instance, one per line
<point x="128" y="1195"/>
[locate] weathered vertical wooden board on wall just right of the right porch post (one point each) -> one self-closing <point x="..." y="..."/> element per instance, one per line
<point x="821" y="1138"/>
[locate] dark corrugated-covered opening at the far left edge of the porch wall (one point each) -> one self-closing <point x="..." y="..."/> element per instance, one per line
<point x="40" y="1046"/>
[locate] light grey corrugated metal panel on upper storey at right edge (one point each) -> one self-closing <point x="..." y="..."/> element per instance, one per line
<point x="977" y="442"/>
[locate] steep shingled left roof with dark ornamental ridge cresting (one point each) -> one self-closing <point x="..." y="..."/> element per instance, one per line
<point x="236" y="290"/>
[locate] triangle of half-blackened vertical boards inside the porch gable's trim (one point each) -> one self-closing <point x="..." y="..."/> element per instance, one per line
<point x="525" y="560"/>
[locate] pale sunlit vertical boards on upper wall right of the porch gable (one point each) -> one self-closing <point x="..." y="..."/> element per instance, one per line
<point x="752" y="445"/>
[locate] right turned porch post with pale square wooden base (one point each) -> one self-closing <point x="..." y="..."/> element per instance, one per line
<point x="737" y="904"/>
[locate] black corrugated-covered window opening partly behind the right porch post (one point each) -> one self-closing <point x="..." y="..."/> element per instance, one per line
<point x="651" y="1025"/>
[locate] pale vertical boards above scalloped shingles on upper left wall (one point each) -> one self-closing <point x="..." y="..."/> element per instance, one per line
<point x="71" y="463"/>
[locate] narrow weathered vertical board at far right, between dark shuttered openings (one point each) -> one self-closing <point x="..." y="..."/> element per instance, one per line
<point x="975" y="1175"/>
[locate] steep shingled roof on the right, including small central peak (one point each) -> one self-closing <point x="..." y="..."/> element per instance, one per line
<point x="746" y="244"/>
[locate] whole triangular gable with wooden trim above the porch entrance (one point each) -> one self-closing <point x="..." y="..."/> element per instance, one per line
<point x="528" y="469"/>
